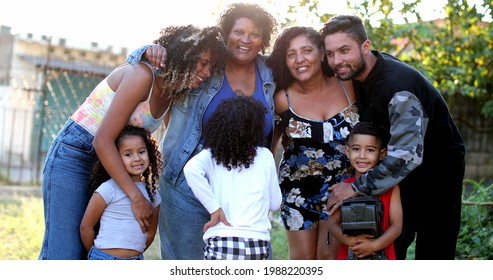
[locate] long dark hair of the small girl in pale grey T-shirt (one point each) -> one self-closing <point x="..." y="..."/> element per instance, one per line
<point x="150" y="175"/>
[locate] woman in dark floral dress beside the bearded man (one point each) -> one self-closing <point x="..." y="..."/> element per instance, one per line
<point x="315" y="112"/>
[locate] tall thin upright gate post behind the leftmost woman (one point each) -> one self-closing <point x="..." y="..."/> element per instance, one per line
<point x="44" y="101"/>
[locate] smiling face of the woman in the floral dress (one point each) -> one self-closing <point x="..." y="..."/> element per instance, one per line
<point x="303" y="58"/>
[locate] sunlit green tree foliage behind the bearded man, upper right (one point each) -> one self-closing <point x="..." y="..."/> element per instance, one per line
<point x="455" y="52"/>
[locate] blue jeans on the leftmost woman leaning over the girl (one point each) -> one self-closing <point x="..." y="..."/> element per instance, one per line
<point x="68" y="165"/>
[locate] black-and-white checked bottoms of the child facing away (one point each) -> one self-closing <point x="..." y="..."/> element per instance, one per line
<point x="236" y="248"/>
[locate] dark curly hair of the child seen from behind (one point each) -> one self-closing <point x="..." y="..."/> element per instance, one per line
<point x="235" y="130"/>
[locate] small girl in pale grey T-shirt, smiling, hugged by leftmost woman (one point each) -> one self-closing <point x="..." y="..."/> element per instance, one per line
<point x="119" y="236"/>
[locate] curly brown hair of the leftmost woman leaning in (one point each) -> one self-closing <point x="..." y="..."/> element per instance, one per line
<point x="184" y="46"/>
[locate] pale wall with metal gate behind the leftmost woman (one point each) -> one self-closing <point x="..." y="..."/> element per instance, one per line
<point x="42" y="82"/>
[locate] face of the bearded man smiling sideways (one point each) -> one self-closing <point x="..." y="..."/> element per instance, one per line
<point x="345" y="56"/>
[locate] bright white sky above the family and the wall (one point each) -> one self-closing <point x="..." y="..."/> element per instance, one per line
<point x="123" y="23"/>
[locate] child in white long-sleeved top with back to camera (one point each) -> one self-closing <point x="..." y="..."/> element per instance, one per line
<point x="235" y="178"/>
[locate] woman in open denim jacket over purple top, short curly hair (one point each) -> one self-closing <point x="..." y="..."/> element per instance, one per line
<point x="247" y="30"/>
